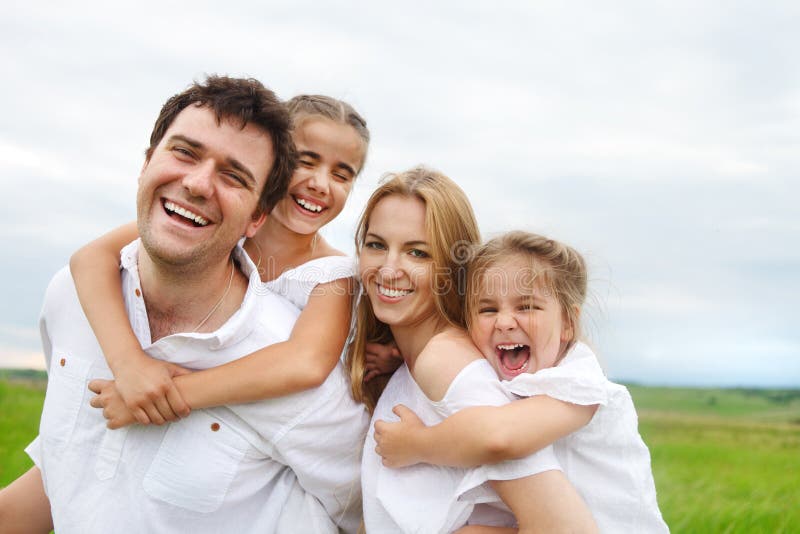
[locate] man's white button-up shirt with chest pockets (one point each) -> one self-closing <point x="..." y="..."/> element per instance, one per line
<point x="283" y="465"/>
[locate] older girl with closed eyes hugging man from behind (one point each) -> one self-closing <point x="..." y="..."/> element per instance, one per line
<point x="293" y="259"/>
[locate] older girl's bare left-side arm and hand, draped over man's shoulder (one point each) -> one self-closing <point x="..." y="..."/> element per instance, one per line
<point x="144" y="383"/>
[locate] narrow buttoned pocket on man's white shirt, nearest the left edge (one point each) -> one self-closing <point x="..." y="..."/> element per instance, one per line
<point x="66" y="389"/>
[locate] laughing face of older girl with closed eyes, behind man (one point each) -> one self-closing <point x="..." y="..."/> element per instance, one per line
<point x="329" y="158"/>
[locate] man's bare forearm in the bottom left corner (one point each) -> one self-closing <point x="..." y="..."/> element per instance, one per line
<point x="24" y="506"/>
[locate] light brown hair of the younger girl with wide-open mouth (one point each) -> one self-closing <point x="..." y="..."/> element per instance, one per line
<point x="560" y="268"/>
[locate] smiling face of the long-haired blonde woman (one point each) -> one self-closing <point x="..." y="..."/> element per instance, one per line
<point x="395" y="262"/>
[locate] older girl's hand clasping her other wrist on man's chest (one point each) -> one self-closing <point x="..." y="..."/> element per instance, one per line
<point x="147" y="388"/>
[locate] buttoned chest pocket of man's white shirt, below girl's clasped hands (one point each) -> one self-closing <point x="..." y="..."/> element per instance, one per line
<point x="196" y="463"/>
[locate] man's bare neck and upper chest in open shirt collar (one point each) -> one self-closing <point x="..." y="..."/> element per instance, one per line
<point x="196" y="298"/>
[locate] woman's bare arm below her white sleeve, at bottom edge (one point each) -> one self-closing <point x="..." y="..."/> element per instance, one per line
<point x="546" y="502"/>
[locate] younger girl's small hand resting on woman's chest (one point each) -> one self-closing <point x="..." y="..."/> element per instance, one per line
<point x="400" y="444"/>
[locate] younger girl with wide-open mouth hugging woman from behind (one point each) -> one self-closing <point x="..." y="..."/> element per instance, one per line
<point x="524" y="298"/>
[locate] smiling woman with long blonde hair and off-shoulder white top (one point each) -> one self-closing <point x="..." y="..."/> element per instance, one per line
<point x="412" y="279"/>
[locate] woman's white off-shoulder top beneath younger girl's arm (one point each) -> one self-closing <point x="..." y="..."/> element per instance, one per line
<point x="425" y="498"/>
